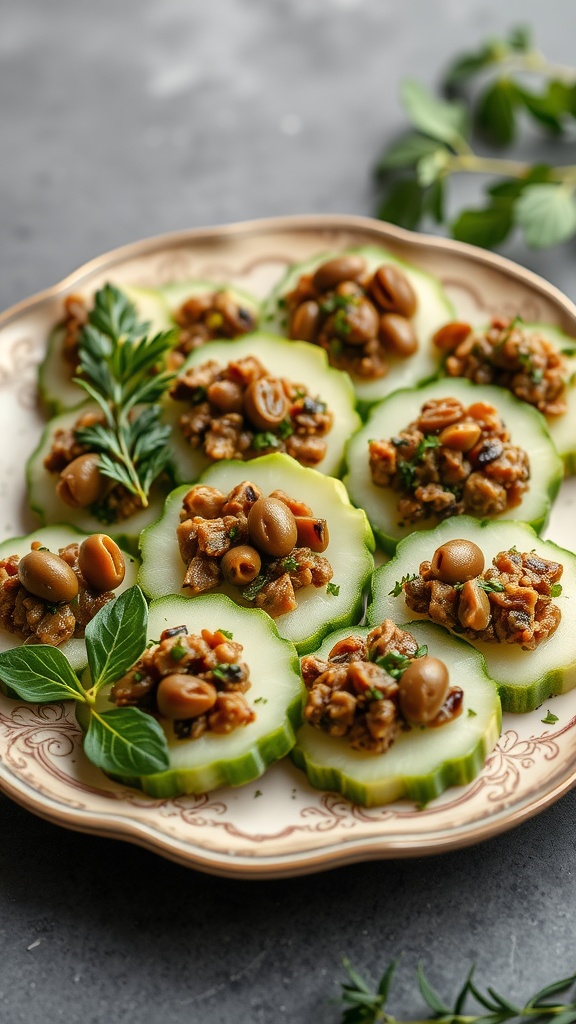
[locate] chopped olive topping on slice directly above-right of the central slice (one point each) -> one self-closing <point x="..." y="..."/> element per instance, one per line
<point x="451" y="460"/>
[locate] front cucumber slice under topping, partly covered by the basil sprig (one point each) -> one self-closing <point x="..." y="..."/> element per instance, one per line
<point x="276" y="695"/>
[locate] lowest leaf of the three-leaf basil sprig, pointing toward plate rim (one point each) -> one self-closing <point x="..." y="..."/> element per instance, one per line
<point x="127" y="741"/>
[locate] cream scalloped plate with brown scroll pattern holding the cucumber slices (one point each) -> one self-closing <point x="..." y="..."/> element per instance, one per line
<point x="278" y="826"/>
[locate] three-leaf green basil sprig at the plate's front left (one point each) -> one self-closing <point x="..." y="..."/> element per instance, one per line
<point x="122" y="741"/>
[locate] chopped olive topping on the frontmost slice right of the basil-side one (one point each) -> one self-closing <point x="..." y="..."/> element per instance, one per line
<point x="369" y="689"/>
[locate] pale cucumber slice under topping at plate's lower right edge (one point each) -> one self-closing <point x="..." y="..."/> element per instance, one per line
<point x="524" y="678"/>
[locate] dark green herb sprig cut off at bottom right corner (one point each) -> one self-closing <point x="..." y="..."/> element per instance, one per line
<point x="366" y="1005"/>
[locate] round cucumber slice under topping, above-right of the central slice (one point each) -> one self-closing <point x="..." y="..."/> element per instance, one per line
<point x="527" y="428"/>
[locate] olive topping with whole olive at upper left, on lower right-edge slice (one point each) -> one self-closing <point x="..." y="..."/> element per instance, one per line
<point x="510" y="603"/>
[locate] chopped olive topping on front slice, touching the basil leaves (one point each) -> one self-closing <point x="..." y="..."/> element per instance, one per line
<point x="198" y="682"/>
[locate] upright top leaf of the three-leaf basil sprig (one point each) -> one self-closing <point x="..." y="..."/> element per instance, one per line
<point x="116" y="637"/>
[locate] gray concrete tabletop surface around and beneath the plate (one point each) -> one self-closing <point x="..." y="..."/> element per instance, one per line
<point x="121" y="120"/>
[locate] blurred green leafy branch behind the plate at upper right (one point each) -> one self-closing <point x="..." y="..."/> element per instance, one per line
<point x="486" y="96"/>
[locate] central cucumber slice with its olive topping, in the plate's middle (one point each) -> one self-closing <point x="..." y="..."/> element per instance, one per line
<point x="284" y="538"/>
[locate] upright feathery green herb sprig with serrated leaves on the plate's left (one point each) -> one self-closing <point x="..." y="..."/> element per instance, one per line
<point x="118" y="360"/>
